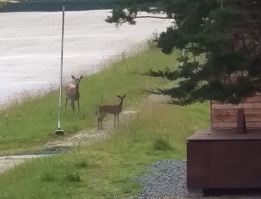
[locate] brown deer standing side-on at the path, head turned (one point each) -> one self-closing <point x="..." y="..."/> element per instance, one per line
<point x="109" y="109"/>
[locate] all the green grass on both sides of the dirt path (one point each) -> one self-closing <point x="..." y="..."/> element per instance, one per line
<point x="106" y="168"/>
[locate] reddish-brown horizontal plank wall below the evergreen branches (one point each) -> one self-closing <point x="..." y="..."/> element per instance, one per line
<point x="224" y="116"/>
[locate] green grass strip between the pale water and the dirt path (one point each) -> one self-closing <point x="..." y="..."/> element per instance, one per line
<point x="33" y="122"/>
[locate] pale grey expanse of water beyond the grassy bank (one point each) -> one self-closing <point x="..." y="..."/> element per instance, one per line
<point x="30" y="45"/>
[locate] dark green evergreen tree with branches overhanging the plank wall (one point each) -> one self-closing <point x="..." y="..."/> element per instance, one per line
<point x="222" y="41"/>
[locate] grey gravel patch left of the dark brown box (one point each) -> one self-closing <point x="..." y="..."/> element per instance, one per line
<point x="166" y="179"/>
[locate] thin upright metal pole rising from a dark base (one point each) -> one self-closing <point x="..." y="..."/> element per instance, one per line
<point x="61" y="72"/>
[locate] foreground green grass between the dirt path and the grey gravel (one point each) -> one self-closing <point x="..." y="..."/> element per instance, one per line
<point x="105" y="169"/>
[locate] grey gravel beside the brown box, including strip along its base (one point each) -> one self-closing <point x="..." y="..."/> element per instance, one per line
<point x="166" y="179"/>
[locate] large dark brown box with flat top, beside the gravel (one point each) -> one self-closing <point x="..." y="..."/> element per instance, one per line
<point x="224" y="159"/>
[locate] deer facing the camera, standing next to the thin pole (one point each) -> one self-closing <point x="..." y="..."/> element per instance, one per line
<point x="72" y="92"/>
